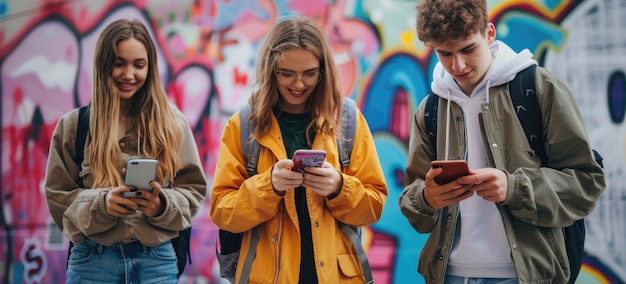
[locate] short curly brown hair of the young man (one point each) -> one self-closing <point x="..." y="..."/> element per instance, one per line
<point x="443" y="20"/>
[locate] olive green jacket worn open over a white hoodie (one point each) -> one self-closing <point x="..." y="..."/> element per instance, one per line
<point x="540" y="200"/>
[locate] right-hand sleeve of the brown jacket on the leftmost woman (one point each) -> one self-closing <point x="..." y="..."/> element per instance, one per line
<point x="187" y="191"/>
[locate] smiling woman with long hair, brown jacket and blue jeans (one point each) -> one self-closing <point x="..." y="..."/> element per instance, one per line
<point x="124" y="239"/>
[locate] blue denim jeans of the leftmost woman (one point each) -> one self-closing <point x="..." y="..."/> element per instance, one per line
<point x="130" y="263"/>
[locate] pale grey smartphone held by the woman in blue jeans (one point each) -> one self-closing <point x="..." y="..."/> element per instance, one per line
<point x="139" y="174"/>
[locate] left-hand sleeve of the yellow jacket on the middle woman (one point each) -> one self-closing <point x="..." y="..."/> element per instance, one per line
<point x="240" y="202"/>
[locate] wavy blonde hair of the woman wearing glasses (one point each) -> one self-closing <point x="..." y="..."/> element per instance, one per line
<point x="324" y="104"/>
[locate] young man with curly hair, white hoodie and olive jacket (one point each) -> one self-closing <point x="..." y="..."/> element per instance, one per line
<point x="503" y="222"/>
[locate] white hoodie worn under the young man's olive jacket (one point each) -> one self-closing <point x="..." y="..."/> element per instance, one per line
<point x="480" y="247"/>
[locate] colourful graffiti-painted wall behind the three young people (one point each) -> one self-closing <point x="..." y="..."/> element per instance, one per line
<point x="207" y="51"/>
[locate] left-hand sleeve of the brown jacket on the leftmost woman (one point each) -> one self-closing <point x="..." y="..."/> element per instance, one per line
<point x="66" y="200"/>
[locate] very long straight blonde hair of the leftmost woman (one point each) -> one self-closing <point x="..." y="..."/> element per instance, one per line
<point x="156" y="124"/>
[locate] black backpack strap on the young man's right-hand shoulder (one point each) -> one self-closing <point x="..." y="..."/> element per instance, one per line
<point x="524" y="98"/>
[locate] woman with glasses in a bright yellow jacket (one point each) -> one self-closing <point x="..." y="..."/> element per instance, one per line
<point x="296" y="103"/>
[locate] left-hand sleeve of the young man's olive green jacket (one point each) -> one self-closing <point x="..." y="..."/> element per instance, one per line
<point x="413" y="206"/>
